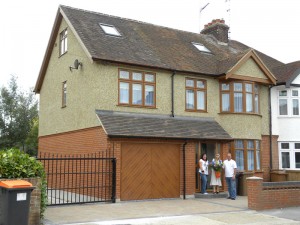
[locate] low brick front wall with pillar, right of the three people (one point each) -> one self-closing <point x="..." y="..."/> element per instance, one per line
<point x="271" y="195"/>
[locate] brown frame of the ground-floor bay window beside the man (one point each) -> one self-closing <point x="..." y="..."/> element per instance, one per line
<point x="257" y="147"/>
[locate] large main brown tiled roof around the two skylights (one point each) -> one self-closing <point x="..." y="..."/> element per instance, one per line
<point x="156" y="46"/>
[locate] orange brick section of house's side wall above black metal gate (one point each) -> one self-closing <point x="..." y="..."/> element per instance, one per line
<point x="83" y="141"/>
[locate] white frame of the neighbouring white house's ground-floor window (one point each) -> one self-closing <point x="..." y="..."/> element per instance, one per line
<point x="292" y="150"/>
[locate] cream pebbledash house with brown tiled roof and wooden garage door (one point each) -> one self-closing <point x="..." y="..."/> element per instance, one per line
<point x="157" y="97"/>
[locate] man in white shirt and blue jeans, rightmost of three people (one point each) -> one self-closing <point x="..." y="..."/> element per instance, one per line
<point x="230" y="171"/>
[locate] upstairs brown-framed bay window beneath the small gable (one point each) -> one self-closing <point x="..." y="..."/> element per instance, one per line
<point x="239" y="97"/>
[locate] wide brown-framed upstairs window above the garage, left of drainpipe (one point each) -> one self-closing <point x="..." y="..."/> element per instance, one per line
<point x="137" y="88"/>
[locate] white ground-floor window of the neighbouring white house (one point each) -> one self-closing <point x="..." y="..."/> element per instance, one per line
<point x="289" y="155"/>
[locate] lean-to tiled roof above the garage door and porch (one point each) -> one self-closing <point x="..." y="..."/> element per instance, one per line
<point x="123" y="124"/>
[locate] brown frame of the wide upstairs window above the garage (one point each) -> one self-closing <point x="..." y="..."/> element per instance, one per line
<point x="142" y="82"/>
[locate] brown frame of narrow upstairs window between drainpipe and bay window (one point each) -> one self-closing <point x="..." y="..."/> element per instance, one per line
<point x="196" y="89"/>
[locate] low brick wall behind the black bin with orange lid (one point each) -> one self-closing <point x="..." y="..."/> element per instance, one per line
<point x="35" y="200"/>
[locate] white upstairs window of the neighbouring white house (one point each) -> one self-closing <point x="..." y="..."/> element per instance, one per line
<point x="289" y="102"/>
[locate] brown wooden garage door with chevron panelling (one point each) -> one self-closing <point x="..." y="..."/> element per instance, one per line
<point x="150" y="171"/>
